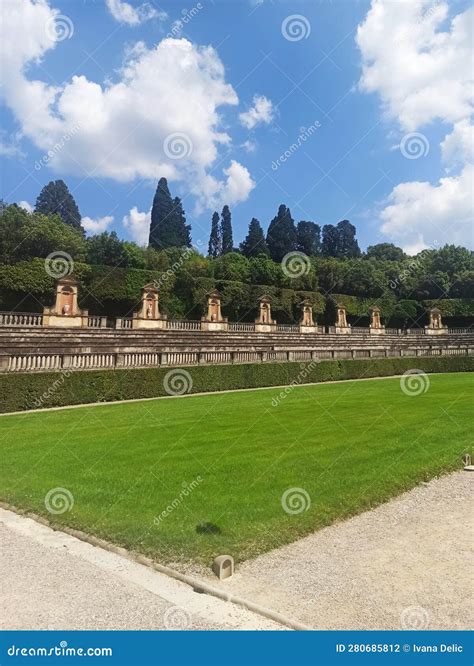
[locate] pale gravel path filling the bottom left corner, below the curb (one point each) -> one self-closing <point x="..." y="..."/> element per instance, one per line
<point x="50" y="580"/>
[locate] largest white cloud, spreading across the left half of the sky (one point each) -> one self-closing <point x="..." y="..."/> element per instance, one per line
<point x="174" y="88"/>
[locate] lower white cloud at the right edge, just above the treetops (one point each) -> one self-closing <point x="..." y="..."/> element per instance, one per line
<point x="420" y="214"/>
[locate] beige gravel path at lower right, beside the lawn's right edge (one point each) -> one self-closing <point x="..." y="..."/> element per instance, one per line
<point x="404" y="565"/>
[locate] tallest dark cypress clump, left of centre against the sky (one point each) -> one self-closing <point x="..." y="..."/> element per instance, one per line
<point x="168" y="226"/>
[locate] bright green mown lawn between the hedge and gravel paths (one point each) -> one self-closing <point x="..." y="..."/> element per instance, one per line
<point x="349" y="446"/>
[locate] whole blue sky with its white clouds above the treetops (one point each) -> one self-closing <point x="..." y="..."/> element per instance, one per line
<point x="365" y="83"/>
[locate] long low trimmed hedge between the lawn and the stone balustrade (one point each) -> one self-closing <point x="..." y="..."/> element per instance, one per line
<point x="30" y="391"/>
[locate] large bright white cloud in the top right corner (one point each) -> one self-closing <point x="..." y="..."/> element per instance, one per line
<point x="420" y="71"/>
